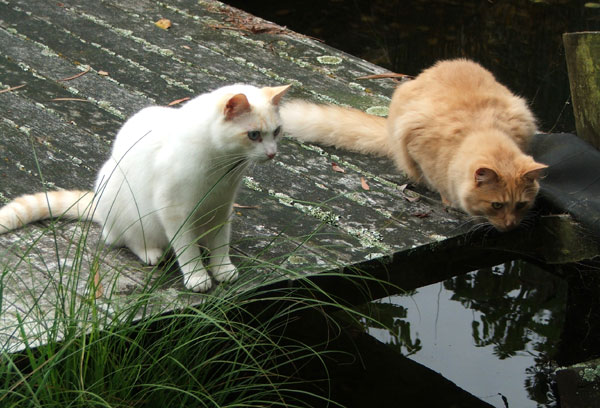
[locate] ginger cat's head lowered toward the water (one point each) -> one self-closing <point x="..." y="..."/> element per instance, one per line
<point x="504" y="199"/>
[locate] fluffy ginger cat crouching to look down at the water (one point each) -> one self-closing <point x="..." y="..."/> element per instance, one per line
<point x="453" y="128"/>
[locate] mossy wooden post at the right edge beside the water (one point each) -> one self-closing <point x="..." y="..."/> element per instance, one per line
<point x="582" y="51"/>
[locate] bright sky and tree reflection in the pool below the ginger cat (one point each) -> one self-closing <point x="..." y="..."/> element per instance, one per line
<point x="492" y="332"/>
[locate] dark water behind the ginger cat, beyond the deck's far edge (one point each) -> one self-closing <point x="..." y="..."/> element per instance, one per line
<point x="518" y="40"/>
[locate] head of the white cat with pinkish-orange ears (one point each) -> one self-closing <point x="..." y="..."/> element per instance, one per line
<point x="253" y="123"/>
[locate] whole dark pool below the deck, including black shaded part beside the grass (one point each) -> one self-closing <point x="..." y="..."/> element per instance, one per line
<point x="484" y="339"/>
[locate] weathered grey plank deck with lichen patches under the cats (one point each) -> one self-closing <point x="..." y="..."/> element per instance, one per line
<point x="304" y="218"/>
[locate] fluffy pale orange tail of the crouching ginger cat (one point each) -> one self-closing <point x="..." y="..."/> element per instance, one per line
<point x="330" y="125"/>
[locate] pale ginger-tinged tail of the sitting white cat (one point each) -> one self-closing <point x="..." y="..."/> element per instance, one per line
<point x="29" y="208"/>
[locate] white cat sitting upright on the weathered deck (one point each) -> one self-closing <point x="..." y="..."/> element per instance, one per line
<point x="171" y="180"/>
